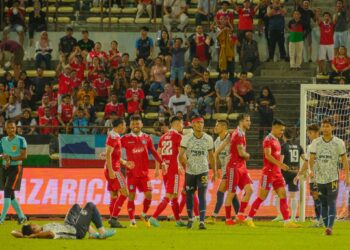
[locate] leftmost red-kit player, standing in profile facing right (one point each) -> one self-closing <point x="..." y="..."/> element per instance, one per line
<point x="116" y="182"/>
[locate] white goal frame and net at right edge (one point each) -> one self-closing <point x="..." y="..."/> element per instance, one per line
<point x="318" y="102"/>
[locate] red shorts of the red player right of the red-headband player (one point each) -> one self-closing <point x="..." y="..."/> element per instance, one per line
<point x="237" y="177"/>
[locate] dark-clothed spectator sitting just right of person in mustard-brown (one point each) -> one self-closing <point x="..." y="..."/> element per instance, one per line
<point x="249" y="53"/>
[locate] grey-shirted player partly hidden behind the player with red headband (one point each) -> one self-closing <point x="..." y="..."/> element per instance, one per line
<point x="221" y="159"/>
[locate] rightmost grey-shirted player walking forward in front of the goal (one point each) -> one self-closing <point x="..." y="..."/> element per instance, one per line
<point x="326" y="152"/>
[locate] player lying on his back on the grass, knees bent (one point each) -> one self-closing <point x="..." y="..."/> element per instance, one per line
<point x="75" y="226"/>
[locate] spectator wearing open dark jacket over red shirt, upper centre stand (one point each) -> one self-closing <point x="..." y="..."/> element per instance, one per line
<point x="200" y="46"/>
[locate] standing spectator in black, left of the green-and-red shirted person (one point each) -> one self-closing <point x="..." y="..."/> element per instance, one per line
<point x="276" y="13"/>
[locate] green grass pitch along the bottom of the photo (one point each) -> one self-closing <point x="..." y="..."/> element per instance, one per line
<point x="267" y="235"/>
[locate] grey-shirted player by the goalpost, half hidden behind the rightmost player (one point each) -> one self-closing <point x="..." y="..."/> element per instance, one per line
<point x="313" y="132"/>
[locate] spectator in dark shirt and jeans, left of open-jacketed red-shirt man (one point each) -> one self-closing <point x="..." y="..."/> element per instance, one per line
<point x="178" y="62"/>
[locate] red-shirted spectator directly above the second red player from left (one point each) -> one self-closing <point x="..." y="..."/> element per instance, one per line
<point x="134" y="97"/>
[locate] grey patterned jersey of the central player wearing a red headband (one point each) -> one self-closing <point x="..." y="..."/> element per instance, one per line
<point x="197" y="152"/>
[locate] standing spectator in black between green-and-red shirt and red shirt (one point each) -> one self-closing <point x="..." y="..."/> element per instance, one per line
<point x="306" y="16"/>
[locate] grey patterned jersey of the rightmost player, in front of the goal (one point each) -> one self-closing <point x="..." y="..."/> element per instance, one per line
<point x="327" y="156"/>
